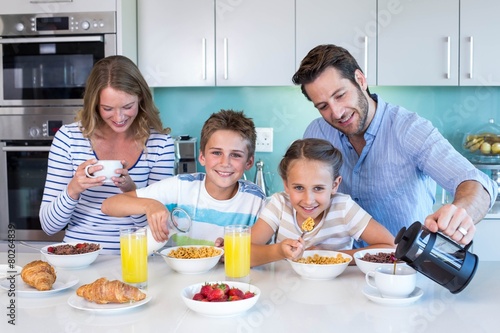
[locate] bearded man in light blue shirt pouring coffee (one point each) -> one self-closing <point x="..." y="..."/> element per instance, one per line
<point x="392" y="157"/>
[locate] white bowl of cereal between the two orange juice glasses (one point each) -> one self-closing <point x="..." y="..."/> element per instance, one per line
<point x="192" y="259"/>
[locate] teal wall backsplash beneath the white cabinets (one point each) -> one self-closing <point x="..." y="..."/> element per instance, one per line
<point x="453" y="110"/>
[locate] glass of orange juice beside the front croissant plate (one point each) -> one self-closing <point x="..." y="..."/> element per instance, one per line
<point x="134" y="255"/>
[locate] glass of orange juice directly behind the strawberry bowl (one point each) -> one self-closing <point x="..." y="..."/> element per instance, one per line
<point x="237" y="252"/>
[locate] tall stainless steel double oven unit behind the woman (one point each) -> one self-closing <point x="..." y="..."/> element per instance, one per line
<point x="47" y="49"/>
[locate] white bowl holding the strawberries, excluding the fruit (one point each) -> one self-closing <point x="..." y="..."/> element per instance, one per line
<point x="220" y="309"/>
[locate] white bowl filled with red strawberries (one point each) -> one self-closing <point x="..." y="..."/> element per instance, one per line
<point x="220" y="299"/>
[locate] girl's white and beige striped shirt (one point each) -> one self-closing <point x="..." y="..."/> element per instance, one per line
<point x="343" y="222"/>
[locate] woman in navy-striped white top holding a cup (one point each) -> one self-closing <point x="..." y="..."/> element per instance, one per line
<point x="119" y="121"/>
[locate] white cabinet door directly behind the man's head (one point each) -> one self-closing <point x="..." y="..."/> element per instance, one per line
<point x="350" y="24"/>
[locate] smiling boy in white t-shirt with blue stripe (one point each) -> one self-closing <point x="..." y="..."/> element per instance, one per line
<point x="213" y="199"/>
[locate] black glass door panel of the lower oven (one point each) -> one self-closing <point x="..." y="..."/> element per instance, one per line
<point x="26" y="172"/>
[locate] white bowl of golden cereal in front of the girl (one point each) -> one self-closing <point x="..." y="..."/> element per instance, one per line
<point x="321" y="264"/>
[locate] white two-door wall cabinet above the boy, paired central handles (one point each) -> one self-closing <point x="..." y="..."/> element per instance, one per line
<point x="221" y="42"/>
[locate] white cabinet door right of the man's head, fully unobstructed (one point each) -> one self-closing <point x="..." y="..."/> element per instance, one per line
<point x="418" y="42"/>
